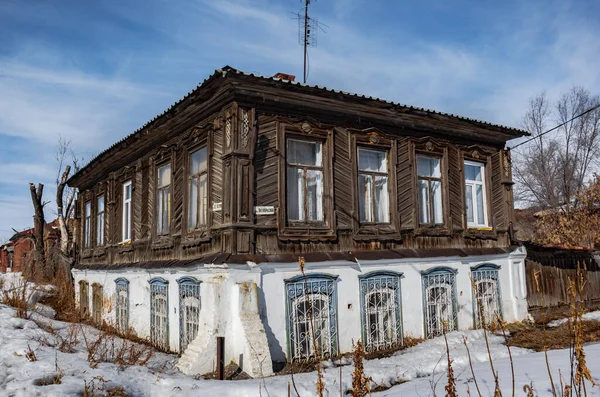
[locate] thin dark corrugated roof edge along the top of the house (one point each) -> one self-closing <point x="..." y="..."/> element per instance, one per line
<point x="228" y="69"/>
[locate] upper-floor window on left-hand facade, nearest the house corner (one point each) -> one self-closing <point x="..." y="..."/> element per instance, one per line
<point x="198" y="189"/>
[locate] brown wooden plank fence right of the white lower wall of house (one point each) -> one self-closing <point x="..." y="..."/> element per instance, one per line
<point x="553" y="285"/>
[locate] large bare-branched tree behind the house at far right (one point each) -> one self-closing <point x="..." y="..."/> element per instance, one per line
<point x="552" y="168"/>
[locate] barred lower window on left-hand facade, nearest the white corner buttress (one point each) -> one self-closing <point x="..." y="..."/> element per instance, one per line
<point x="189" y="311"/>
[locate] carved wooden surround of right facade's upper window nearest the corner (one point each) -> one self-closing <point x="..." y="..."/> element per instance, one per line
<point x="313" y="229"/>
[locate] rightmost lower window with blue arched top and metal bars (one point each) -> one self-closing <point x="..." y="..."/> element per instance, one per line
<point x="487" y="303"/>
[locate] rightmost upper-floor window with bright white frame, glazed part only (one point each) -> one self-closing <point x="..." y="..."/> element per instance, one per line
<point x="475" y="197"/>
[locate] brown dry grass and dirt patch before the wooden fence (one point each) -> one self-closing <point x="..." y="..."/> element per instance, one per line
<point x="532" y="336"/>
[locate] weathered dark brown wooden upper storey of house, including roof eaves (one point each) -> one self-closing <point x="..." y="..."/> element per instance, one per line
<point x="254" y="168"/>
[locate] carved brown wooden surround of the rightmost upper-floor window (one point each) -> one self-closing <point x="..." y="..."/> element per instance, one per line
<point x="482" y="156"/>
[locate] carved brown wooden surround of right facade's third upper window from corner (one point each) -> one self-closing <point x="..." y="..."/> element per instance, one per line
<point x="428" y="147"/>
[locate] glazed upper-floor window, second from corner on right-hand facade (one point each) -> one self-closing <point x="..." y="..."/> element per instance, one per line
<point x="373" y="186"/>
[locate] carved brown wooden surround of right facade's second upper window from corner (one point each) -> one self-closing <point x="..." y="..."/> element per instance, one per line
<point x="375" y="140"/>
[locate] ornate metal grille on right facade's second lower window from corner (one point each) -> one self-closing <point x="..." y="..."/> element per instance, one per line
<point x="381" y="310"/>
